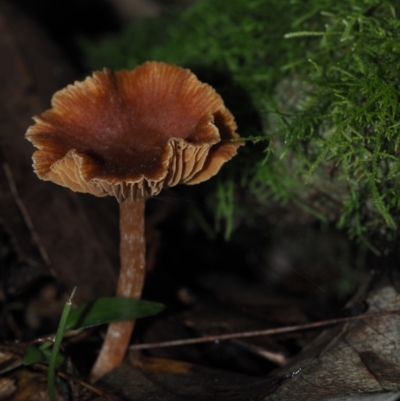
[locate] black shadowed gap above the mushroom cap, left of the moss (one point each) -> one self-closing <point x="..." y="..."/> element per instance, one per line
<point x="67" y="21"/>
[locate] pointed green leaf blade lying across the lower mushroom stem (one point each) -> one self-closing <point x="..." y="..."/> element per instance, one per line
<point x="110" y="309"/>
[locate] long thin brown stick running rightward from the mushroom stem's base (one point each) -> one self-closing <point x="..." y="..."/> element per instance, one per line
<point x="267" y="332"/>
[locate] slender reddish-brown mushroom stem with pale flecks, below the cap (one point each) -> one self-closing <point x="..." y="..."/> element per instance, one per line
<point x="130" y="284"/>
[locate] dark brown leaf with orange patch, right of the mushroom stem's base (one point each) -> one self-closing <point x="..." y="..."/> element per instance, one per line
<point x="168" y="380"/>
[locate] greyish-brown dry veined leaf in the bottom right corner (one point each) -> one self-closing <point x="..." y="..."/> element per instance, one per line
<point x="359" y="359"/>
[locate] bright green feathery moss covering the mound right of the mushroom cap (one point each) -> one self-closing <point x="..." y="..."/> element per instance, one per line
<point x="316" y="82"/>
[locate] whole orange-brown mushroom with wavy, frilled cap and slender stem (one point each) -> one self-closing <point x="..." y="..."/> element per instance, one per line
<point x="130" y="134"/>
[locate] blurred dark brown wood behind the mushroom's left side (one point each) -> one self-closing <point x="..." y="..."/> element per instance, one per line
<point x="52" y="228"/>
